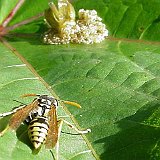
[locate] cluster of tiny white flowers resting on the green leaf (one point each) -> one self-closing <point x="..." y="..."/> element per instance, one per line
<point x="87" y="29"/>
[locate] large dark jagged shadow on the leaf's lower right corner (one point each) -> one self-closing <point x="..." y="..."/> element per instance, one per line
<point x="137" y="140"/>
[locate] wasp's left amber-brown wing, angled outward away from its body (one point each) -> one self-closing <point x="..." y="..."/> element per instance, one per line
<point x="21" y="114"/>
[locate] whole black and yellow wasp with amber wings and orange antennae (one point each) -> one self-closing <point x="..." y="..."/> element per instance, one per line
<point x="41" y="117"/>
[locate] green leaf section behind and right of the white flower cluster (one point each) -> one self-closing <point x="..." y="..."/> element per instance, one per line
<point x="128" y="19"/>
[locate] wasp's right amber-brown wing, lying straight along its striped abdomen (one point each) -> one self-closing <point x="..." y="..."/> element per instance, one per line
<point x="52" y="136"/>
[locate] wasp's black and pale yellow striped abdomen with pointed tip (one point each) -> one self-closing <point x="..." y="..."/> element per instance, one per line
<point x="38" y="130"/>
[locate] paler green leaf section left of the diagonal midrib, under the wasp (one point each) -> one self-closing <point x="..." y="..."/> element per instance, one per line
<point x="16" y="79"/>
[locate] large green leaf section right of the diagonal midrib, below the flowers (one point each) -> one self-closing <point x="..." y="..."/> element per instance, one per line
<point x="117" y="84"/>
